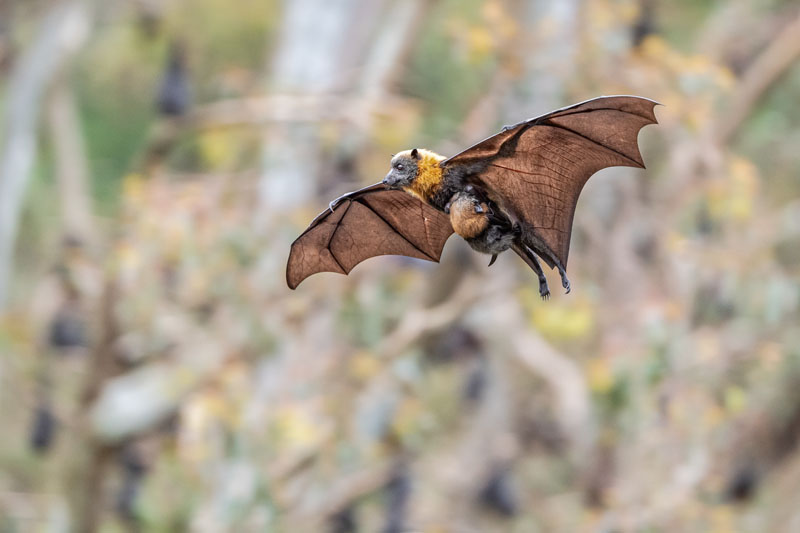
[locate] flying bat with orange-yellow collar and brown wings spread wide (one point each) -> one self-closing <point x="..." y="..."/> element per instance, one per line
<point x="515" y="190"/>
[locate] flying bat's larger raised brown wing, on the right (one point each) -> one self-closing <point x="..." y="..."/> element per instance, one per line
<point x="535" y="170"/>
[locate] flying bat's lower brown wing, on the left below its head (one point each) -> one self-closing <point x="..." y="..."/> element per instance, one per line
<point x="365" y="223"/>
